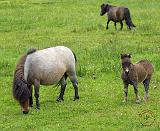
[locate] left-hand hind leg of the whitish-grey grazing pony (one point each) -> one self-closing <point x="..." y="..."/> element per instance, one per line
<point x="62" y="90"/>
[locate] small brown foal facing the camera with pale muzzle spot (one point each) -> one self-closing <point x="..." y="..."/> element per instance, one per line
<point x="134" y="73"/>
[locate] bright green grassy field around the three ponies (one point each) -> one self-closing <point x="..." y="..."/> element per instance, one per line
<point x="78" y="25"/>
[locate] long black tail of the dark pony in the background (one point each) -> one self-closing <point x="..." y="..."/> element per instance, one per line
<point x="127" y="18"/>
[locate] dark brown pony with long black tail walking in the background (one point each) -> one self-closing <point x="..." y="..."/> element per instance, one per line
<point x="117" y="14"/>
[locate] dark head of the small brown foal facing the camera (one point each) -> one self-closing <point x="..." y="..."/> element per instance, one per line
<point x="126" y="63"/>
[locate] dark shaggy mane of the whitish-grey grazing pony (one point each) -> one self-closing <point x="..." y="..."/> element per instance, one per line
<point x="20" y="86"/>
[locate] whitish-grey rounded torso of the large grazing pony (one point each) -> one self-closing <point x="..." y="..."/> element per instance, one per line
<point x="49" y="65"/>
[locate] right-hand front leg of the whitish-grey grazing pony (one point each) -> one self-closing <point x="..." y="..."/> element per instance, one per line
<point x="36" y="90"/>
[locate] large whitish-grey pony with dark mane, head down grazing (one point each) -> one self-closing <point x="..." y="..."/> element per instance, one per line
<point x="44" y="67"/>
